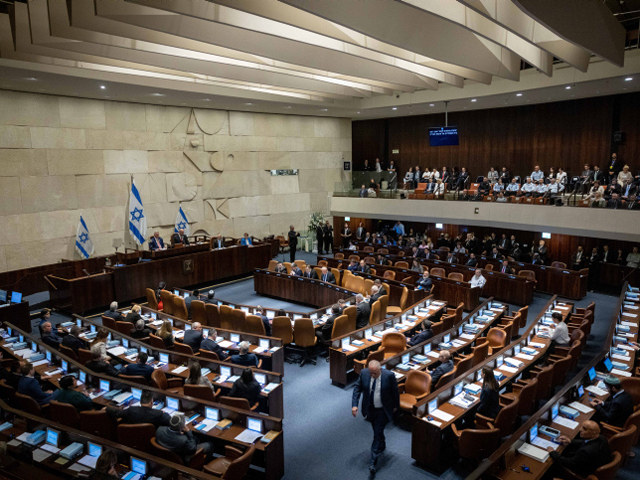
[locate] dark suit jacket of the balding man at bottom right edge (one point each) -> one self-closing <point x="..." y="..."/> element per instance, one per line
<point x="584" y="457"/>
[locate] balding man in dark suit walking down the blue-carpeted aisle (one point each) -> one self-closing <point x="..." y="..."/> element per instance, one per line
<point x="380" y="398"/>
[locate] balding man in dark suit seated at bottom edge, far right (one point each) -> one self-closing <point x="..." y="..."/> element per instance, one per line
<point x="583" y="455"/>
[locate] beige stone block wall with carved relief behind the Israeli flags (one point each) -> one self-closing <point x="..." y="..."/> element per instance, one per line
<point x="65" y="157"/>
